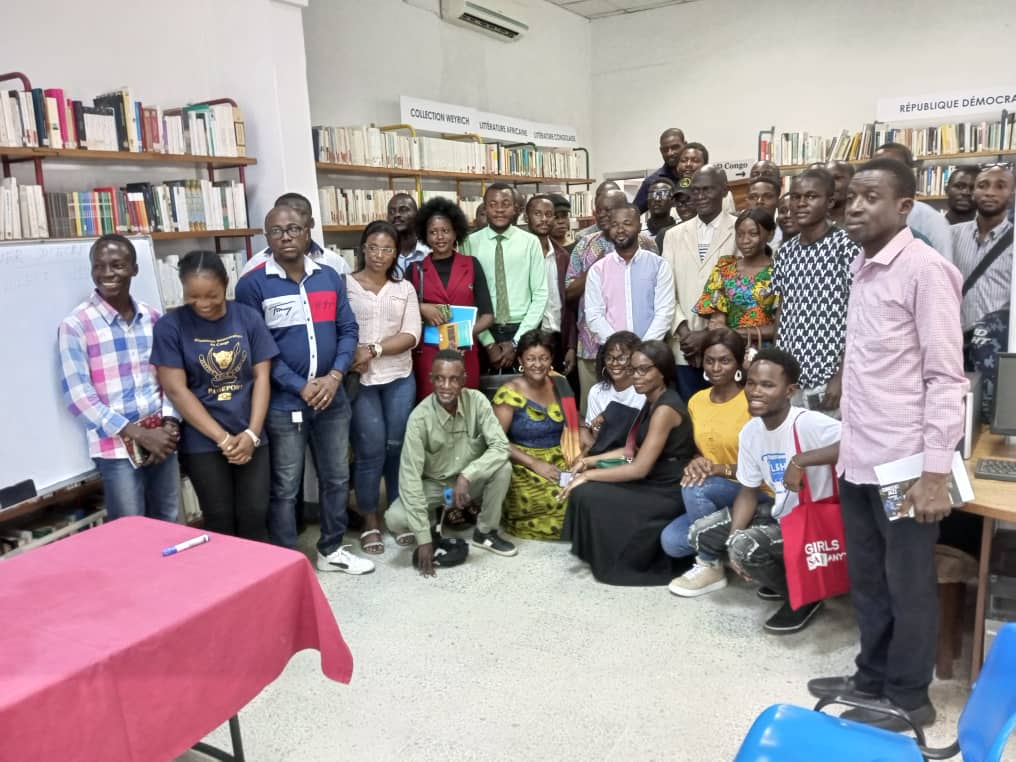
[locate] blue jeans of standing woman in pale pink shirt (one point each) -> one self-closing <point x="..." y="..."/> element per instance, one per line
<point x="379" y="417"/>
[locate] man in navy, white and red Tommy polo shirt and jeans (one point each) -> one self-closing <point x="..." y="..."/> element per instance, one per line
<point x="307" y="311"/>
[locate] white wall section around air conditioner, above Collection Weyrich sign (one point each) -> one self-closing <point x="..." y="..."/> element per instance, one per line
<point x="363" y="55"/>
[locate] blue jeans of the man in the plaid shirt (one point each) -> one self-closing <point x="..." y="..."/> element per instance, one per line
<point x="152" y="491"/>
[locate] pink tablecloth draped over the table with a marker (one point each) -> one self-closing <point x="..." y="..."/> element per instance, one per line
<point x="110" y="652"/>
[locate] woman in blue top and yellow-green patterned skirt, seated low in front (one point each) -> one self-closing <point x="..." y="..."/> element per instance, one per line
<point x="534" y="410"/>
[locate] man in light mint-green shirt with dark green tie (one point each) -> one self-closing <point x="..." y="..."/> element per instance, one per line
<point x="517" y="276"/>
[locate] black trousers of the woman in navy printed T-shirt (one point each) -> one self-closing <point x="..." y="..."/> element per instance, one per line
<point x="234" y="498"/>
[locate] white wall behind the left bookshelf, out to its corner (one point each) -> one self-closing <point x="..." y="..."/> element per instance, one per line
<point x="171" y="54"/>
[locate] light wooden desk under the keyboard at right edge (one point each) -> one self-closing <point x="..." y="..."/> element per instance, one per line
<point x="995" y="501"/>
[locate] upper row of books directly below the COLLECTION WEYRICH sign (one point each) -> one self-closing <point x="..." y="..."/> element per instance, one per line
<point x="370" y="147"/>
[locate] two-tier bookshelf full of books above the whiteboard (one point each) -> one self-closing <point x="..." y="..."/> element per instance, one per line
<point x="149" y="155"/>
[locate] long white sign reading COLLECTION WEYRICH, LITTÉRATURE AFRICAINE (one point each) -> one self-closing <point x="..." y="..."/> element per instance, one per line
<point x="435" y="116"/>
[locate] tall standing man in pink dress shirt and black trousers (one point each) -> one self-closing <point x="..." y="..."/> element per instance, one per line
<point x="904" y="391"/>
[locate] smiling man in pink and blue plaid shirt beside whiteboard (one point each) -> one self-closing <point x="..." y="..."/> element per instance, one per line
<point x="110" y="386"/>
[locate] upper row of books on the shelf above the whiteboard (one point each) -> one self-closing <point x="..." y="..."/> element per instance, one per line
<point x="115" y="121"/>
